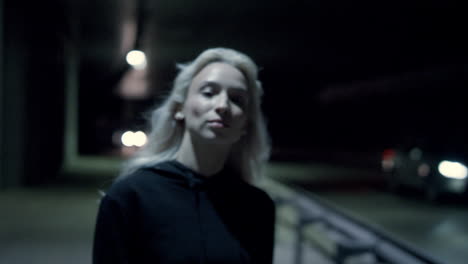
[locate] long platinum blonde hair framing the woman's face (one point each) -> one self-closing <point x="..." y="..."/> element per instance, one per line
<point x="247" y="155"/>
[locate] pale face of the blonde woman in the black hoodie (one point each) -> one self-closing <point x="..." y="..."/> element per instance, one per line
<point x="216" y="104"/>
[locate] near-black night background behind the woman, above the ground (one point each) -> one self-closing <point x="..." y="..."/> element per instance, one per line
<point x="339" y="76"/>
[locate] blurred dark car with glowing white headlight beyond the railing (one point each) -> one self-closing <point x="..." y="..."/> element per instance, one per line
<point x="435" y="172"/>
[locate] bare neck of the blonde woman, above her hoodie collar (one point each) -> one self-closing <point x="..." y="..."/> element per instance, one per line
<point x="206" y="159"/>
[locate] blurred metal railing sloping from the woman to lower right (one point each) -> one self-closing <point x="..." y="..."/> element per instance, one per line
<point x="346" y="237"/>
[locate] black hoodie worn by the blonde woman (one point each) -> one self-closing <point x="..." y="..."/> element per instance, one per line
<point x="171" y="214"/>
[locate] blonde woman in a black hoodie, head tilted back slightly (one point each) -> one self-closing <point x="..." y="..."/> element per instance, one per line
<point x="185" y="197"/>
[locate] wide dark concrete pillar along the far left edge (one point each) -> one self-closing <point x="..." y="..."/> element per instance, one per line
<point x="31" y="92"/>
